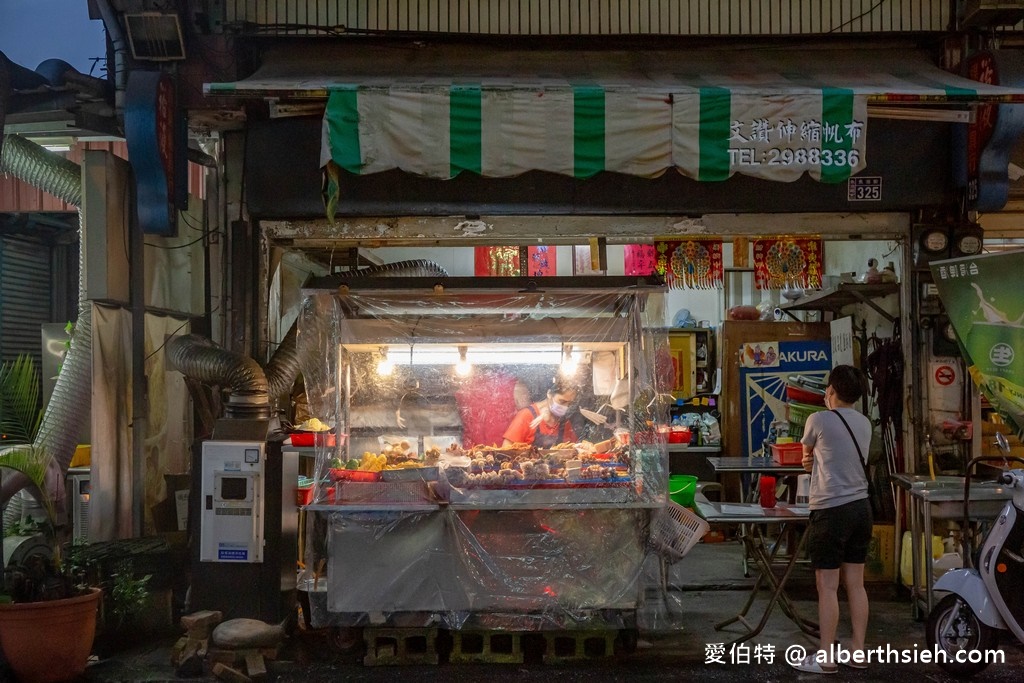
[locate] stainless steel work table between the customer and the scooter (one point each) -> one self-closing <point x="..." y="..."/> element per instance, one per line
<point x="929" y="501"/>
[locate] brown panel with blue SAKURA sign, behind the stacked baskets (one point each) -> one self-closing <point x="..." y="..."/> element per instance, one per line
<point x="758" y="358"/>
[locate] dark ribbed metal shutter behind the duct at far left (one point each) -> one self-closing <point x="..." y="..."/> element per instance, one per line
<point x="25" y="296"/>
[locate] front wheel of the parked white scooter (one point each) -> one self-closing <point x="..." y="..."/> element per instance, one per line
<point x="954" y="627"/>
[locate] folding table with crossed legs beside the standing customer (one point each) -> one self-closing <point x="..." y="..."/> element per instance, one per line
<point x="753" y="520"/>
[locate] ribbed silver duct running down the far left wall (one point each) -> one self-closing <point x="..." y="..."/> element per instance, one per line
<point x="69" y="409"/>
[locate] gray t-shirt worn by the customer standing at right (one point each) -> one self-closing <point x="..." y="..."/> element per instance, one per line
<point x="838" y="476"/>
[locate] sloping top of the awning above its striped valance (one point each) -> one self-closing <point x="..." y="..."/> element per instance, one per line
<point x="903" y="76"/>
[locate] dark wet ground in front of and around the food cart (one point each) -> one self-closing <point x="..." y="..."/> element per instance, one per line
<point x="677" y="642"/>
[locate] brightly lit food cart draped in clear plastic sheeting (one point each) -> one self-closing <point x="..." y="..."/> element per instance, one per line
<point x="420" y="515"/>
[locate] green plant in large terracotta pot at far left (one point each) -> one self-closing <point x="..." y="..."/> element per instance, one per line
<point x="48" y="615"/>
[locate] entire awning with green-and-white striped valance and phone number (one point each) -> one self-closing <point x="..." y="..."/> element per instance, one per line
<point x="775" y="114"/>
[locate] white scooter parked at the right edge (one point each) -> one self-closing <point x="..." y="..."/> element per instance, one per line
<point x="989" y="597"/>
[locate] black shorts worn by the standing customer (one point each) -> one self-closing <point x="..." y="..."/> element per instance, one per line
<point x="840" y="536"/>
